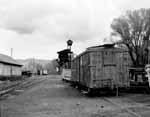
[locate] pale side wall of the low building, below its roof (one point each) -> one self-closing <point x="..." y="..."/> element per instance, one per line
<point x="7" y="70"/>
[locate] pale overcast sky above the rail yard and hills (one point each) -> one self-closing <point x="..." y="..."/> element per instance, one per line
<point x="40" y="28"/>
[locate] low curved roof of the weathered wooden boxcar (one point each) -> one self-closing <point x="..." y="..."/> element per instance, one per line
<point x="103" y="48"/>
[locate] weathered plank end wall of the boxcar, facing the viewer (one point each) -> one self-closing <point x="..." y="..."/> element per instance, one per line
<point x="113" y="69"/>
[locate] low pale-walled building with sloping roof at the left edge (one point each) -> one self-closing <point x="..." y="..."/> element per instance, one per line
<point x="9" y="66"/>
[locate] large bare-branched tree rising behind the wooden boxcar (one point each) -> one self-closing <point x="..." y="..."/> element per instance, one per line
<point x="134" y="30"/>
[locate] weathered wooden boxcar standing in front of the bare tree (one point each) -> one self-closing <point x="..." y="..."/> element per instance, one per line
<point x="101" y="67"/>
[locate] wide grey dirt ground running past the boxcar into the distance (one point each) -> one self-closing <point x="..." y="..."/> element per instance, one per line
<point x="49" y="96"/>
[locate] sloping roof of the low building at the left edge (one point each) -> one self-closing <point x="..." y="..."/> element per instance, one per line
<point x="8" y="60"/>
